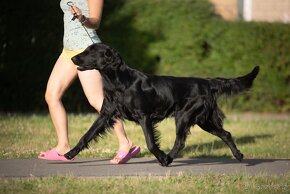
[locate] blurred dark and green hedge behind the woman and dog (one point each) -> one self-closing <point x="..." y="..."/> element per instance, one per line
<point x="163" y="37"/>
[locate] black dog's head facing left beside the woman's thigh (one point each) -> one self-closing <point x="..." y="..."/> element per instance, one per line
<point x="97" y="56"/>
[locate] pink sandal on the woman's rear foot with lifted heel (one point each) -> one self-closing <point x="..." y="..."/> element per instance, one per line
<point x="122" y="157"/>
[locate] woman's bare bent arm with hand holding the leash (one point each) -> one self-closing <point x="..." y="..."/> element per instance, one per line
<point x="95" y="14"/>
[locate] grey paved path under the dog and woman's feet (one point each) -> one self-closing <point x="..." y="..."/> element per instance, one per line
<point x="140" y="167"/>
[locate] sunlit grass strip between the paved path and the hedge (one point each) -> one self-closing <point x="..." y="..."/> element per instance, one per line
<point x="256" y="135"/>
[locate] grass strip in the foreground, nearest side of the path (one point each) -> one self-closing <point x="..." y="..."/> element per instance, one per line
<point x="177" y="184"/>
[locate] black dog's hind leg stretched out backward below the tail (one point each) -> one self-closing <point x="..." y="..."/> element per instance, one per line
<point x="217" y="129"/>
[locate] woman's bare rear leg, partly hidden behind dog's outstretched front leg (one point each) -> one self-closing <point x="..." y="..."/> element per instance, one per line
<point x="91" y="81"/>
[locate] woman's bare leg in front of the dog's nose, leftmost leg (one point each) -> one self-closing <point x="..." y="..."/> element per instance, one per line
<point x="62" y="75"/>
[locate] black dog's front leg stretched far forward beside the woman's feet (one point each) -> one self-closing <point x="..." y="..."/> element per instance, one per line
<point x="103" y="123"/>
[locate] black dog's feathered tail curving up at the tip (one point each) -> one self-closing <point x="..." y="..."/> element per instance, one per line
<point x="222" y="86"/>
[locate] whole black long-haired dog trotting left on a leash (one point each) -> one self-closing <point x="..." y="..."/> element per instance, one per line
<point x="148" y="99"/>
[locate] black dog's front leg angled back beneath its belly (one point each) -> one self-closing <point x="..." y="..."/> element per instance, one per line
<point x="151" y="138"/>
